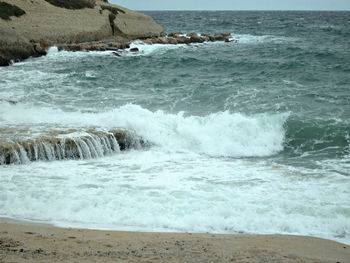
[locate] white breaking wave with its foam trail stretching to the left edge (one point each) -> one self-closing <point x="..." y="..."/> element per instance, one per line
<point x="217" y="134"/>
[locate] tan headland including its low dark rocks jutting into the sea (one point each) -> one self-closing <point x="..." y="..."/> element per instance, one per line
<point x="113" y="28"/>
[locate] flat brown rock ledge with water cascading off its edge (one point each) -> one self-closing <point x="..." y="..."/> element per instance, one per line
<point x="72" y="144"/>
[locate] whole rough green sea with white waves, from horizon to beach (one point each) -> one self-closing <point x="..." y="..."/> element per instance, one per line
<point x="250" y="136"/>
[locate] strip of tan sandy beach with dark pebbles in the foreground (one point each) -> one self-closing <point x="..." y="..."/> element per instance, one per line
<point x="37" y="243"/>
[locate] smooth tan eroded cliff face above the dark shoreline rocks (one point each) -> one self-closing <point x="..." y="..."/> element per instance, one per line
<point x="48" y="25"/>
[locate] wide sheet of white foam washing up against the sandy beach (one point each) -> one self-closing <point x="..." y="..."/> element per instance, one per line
<point x="155" y="190"/>
